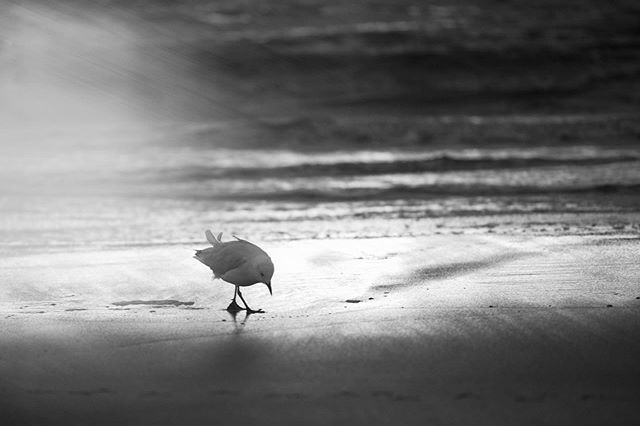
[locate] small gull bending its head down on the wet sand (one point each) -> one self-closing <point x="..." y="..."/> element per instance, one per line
<point x="240" y="263"/>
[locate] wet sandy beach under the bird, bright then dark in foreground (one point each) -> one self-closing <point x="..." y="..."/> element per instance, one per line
<point x="446" y="329"/>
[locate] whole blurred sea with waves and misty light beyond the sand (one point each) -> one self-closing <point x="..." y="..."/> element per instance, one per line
<point x="145" y="122"/>
